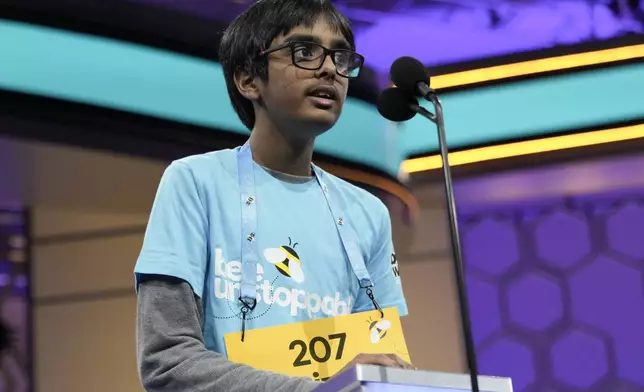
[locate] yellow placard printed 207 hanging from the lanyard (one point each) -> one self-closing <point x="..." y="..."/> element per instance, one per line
<point x="319" y="348"/>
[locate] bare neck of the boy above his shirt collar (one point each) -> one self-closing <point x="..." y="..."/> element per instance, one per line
<point x="274" y="150"/>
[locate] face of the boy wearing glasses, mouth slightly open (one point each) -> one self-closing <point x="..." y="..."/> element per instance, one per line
<point x="292" y="96"/>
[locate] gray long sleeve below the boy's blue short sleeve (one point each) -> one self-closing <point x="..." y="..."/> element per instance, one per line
<point x="171" y="351"/>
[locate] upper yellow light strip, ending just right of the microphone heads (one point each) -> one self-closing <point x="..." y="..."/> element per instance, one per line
<point x="537" y="66"/>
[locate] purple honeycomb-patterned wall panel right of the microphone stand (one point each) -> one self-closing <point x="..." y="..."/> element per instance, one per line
<point x="557" y="292"/>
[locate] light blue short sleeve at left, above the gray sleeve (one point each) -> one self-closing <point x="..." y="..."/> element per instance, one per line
<point x="175" y="242"/>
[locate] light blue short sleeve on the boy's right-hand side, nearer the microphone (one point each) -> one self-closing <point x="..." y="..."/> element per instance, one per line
<point x="383" y="268"/>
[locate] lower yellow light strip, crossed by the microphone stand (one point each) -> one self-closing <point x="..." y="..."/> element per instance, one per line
<point x="508" y="150"/>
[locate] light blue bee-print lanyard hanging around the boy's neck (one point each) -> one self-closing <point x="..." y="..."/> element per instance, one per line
<point x="250" y="251"/>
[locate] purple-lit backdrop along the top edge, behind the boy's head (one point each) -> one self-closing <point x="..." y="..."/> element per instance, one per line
<point x="458" y="30"/>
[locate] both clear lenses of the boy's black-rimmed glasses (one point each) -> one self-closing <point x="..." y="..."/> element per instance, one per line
<point x="311" y="56"/>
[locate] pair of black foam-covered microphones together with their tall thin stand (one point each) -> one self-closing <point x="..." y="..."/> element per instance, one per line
<point x="400" y="104"/>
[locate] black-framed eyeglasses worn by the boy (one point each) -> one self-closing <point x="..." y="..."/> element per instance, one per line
<point x="311" y="56"/>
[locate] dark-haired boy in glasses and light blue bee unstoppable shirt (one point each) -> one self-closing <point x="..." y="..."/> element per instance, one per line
<point x="258" y="236"/>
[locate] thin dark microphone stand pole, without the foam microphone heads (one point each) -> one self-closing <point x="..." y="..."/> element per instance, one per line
<point x="456" y="245"/>
